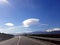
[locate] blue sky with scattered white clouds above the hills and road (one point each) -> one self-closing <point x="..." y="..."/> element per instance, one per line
<point x="23" y="16"/>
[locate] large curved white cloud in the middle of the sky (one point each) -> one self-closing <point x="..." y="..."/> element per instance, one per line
<point x="29" y="22"/>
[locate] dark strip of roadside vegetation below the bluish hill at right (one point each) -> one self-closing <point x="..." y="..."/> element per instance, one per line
<point x="45" y="35"/>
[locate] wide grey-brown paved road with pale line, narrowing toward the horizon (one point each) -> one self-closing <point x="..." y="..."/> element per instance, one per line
<point x="22" y="40"/>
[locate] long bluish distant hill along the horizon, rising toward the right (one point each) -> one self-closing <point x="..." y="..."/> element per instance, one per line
<point x="39" y="32"/>
